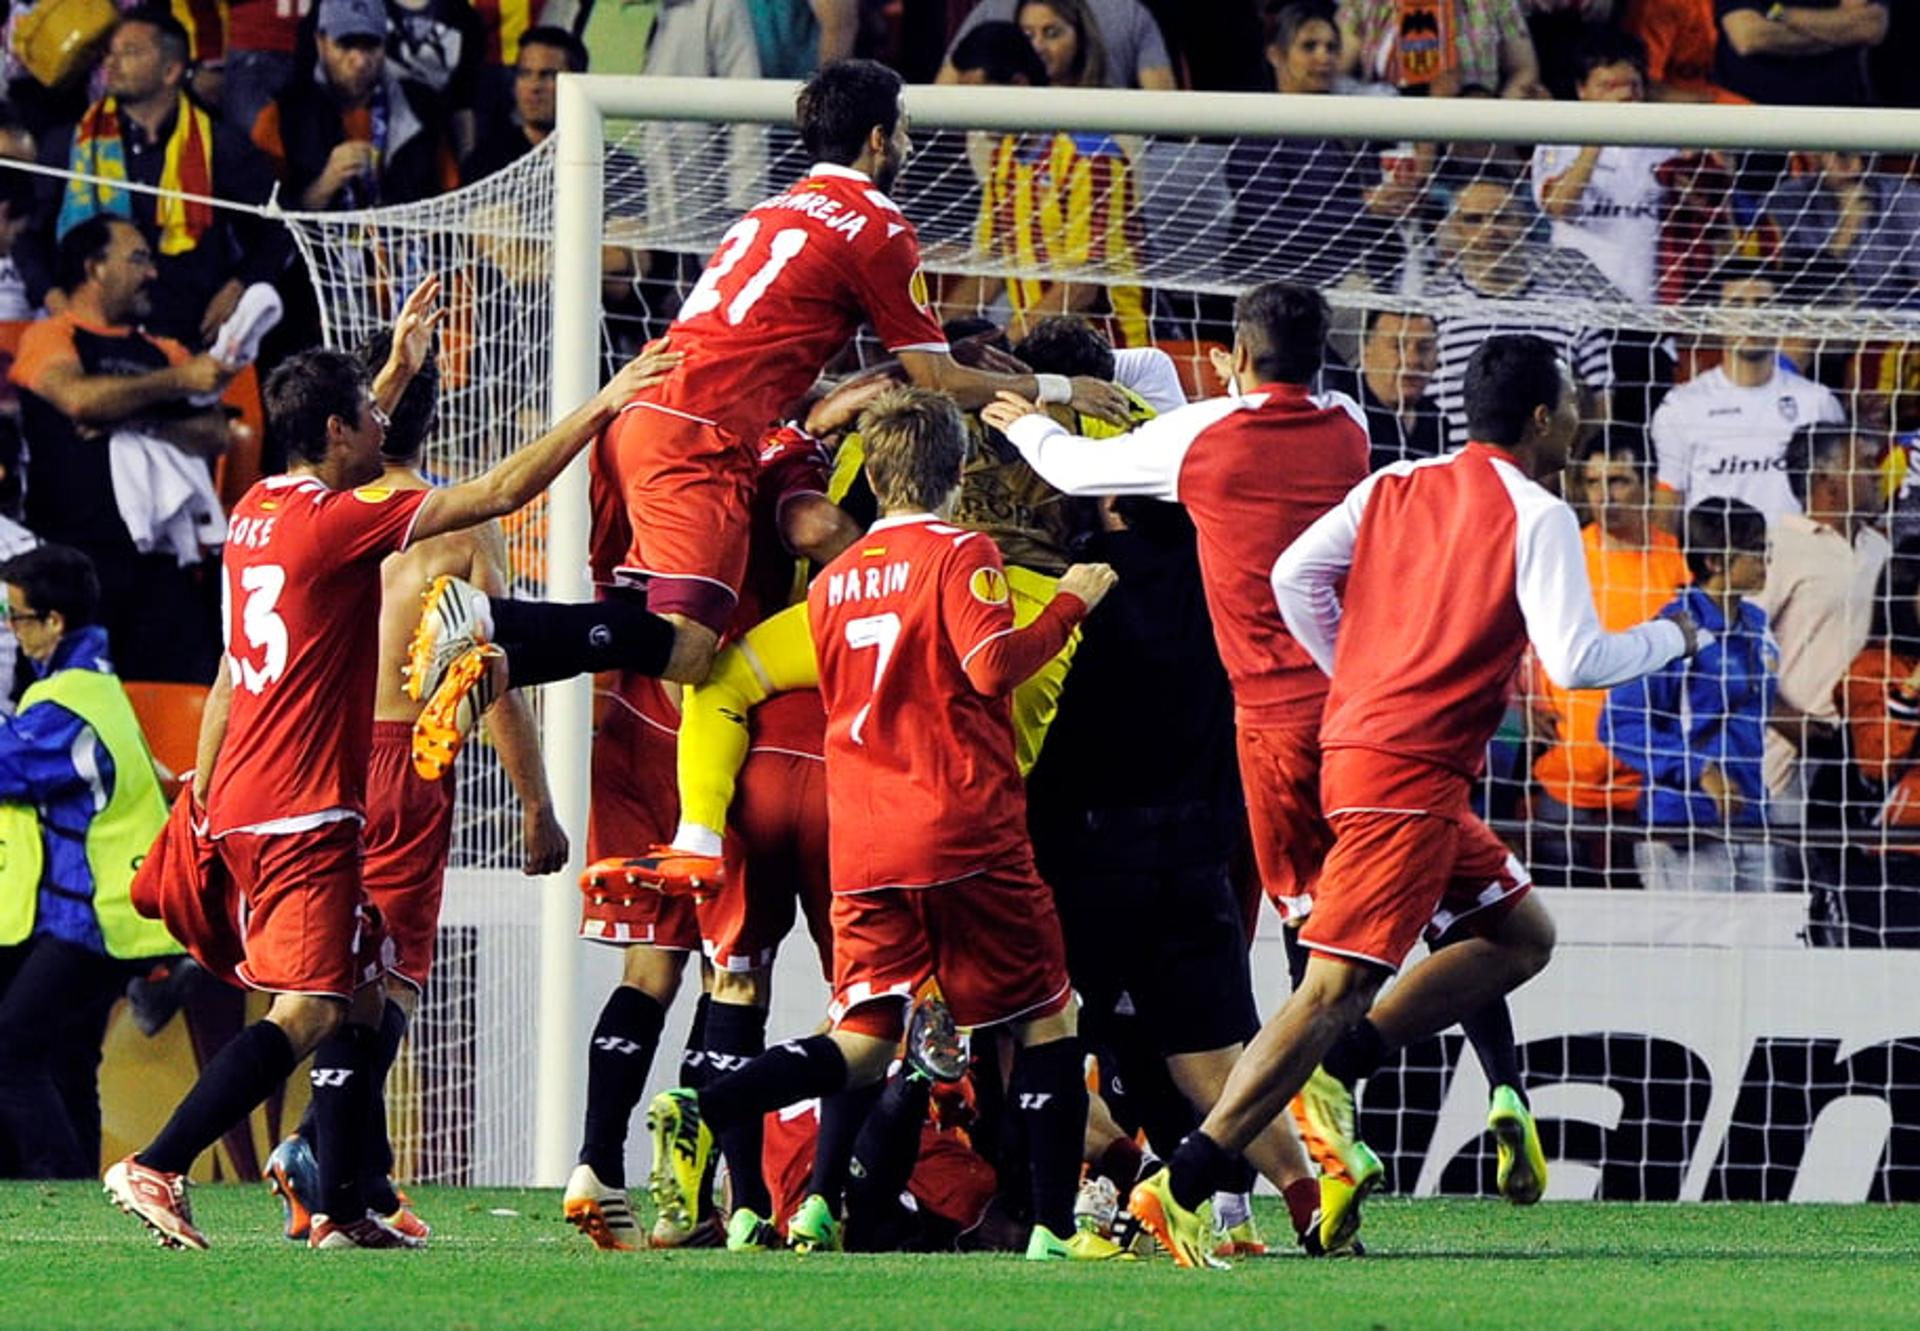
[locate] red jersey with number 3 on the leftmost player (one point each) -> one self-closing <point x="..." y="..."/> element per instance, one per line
<point x="302" y="625"/>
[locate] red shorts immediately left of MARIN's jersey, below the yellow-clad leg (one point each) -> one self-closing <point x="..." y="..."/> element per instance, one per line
<point x="777" y="859"/>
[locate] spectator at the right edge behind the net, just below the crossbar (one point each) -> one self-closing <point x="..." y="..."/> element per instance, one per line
<point x="1848" y="233"/>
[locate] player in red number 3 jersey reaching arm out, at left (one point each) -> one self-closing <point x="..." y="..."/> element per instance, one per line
<point x="283" y="763"/>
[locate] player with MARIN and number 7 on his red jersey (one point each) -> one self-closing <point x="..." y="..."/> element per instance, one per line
<point x="932" y="867"/>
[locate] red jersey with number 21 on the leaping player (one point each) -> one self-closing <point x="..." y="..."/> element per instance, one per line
<point x="784" y="293"/>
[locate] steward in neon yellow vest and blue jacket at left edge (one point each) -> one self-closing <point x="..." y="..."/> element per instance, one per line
<point x="82" y="806"/>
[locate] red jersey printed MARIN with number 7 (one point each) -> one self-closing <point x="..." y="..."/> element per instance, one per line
<point x="923" y="785"/>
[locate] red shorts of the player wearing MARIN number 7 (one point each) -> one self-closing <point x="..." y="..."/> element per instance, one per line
<point x="992" y="940"/>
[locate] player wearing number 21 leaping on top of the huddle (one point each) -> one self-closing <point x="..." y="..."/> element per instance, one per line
<point x="782" y="295"/>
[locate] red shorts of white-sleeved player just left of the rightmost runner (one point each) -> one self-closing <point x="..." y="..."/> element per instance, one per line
<point x="1282" y="777"/>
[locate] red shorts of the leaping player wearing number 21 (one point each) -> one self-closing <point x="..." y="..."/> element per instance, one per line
<point x="683" y="489"/>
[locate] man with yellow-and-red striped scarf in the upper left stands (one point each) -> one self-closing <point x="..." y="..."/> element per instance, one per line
<point x="151" y="132"/>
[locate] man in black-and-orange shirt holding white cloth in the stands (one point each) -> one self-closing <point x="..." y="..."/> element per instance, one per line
<point x="85" y="375"/>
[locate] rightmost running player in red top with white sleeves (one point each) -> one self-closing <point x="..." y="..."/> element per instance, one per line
<point x="1418" y="689"/>
